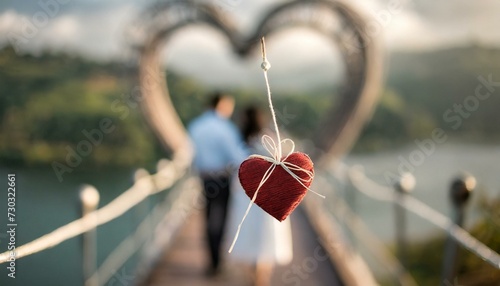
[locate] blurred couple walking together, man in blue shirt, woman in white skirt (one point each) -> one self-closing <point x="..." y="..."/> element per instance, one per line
<point x="220" y="147"/>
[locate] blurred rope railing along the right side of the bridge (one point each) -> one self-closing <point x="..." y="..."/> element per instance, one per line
<point x="379" y="192"/>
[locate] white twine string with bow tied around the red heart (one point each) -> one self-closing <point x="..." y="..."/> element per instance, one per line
<point x="275" y="150"/>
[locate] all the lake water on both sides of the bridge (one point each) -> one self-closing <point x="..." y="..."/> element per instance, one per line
<point x="44" y="203"/>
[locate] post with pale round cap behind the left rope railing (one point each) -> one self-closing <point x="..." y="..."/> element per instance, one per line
<point x="89" y="198"/>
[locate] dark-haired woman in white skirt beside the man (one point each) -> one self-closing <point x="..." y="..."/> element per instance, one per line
<point x="263" y="241"/>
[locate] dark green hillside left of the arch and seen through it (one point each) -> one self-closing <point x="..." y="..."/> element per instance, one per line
<point x="51" y="105"/>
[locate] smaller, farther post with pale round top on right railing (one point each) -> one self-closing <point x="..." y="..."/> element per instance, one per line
<point x="403" y="187"/>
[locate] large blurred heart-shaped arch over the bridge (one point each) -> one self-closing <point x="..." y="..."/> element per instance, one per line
<point x="334" y="19"/>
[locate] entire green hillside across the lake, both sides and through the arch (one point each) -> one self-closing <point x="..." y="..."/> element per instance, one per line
<point x="48" y="101"/>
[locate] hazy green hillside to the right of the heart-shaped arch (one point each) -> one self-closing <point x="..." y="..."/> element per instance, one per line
<point x="437" y="90"/>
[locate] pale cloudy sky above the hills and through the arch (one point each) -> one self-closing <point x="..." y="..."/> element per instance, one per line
<point x="97" y="29"/>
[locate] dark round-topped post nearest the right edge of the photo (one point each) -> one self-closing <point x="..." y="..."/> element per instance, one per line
<point x="460" y="191"/>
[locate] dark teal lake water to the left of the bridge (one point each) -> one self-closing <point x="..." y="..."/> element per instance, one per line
<point x="44" y="204"/>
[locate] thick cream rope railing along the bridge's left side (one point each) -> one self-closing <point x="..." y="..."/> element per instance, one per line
<point x="143" y="188"/>
